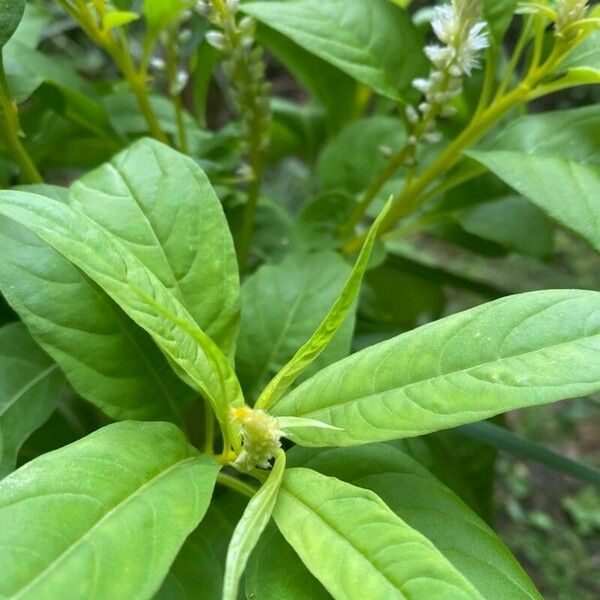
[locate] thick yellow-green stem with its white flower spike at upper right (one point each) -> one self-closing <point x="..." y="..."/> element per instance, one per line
<point x="416" y="191"/>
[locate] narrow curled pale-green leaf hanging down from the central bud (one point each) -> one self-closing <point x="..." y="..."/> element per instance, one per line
<point x="250" y="528"/>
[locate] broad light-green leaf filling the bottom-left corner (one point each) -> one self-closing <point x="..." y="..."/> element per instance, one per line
<point x="103" y="517"/>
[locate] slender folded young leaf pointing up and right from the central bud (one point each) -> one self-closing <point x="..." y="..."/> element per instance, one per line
<point x="328" y="327"/>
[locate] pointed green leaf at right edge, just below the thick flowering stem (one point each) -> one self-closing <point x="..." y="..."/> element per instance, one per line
<point x="554" y="161"/>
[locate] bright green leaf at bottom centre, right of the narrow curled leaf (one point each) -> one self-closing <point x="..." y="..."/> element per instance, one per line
<point x="356" y="546"/>
